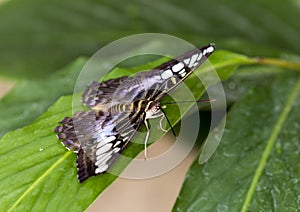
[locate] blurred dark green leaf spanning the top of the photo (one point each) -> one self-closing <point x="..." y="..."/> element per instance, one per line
<point x="54" y="33"/>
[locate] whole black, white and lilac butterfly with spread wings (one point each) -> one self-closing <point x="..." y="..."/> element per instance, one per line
<point x="117" y="110"/>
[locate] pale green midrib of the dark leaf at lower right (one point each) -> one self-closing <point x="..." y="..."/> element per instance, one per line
<point x="270" y="143"/>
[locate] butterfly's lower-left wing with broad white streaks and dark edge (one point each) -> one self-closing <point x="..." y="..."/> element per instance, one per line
<point x="98" y="137"/>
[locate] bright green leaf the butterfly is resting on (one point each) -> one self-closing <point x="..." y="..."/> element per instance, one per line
<point x="37" y="173"/>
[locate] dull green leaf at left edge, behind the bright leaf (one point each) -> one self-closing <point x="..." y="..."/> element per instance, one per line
<point x="30" y="98"/>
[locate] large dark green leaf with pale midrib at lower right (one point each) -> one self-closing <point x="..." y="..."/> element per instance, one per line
<point x="256" y="166"/>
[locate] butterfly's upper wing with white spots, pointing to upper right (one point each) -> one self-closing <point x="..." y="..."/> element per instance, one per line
<point x="152" y="84"/>
